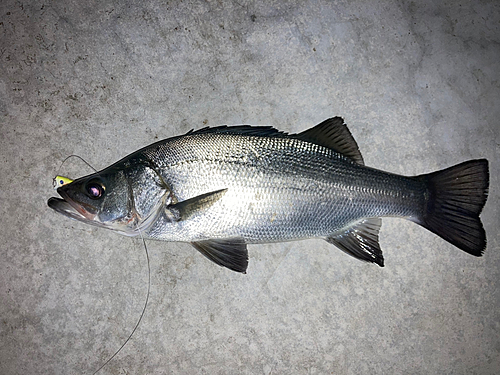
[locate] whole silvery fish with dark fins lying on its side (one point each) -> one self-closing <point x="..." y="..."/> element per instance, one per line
<point x="223" y="188"/>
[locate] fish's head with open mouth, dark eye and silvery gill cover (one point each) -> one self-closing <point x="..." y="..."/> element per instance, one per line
<point x="122" y="198"/>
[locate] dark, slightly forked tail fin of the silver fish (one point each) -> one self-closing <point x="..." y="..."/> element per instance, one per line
<point x="455" y="198"/>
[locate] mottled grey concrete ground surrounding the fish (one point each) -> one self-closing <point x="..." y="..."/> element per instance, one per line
<point x="418" y="86"/>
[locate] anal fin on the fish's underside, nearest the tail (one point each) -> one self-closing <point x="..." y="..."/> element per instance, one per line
<point x="361" y="241"/>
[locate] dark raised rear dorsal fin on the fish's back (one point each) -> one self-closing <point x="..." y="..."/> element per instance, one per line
<point x="333" y="133"/>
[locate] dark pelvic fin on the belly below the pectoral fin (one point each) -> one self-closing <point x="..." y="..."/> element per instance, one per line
<point x="231" y="253"/>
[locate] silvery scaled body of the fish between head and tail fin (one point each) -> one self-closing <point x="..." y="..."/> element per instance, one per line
<point x="306" y="190"/>
